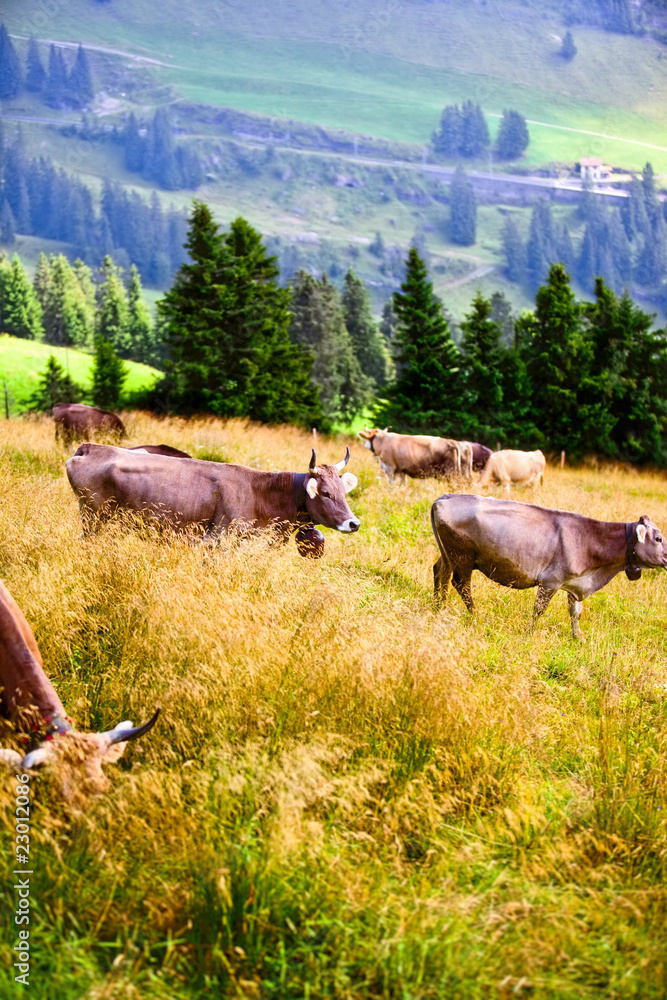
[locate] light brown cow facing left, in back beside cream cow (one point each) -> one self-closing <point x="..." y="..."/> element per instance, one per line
<point x="416" y="455"/>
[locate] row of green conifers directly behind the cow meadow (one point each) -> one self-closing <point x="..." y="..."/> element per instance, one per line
<point x="586" y="377"/>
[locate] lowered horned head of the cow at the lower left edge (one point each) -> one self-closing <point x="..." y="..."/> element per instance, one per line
<point x="78" y="757"/>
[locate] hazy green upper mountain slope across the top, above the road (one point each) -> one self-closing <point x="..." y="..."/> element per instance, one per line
<point x="387" y="67"/>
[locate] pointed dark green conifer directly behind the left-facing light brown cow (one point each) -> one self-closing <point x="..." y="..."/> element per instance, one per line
<point x="426" y="395"/>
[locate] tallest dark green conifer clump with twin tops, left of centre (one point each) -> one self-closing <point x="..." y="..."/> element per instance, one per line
<point x="225" y="323"/>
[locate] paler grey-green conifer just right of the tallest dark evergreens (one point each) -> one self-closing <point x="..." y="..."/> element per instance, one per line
<point x="318" y="325"/>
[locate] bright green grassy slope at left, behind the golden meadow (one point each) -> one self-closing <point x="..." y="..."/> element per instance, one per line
<point x="22" y="362"/>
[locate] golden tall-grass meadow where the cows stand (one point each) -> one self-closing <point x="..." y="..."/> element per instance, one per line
<point x="347" y="794"/>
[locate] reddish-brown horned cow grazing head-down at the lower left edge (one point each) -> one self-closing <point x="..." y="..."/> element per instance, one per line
<point x="29" y="698"/>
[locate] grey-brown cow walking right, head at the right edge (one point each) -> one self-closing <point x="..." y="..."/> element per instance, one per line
<point x="522" y="545"/>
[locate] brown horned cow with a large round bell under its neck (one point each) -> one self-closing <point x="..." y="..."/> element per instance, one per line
<point x="212" y="495"/>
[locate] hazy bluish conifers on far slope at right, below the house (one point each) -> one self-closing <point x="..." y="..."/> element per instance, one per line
<point x="625" y="245"/>
